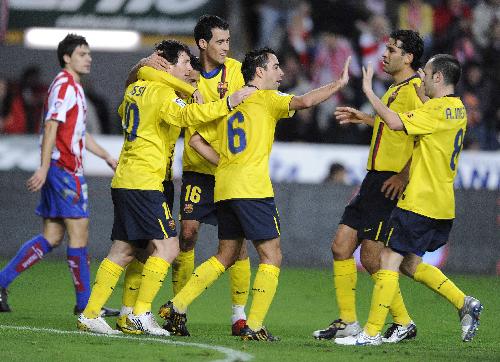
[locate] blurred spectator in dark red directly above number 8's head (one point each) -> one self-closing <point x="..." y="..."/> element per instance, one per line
<point x="451" y="19"/>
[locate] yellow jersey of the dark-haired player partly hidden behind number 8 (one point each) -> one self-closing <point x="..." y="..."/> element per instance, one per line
<point x="390" y="150"/>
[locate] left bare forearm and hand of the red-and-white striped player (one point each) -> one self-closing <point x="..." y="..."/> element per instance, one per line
<point x="36" y="181"/>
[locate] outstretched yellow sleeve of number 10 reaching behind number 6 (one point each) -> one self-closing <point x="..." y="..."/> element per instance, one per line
<point x="176" y="112"/>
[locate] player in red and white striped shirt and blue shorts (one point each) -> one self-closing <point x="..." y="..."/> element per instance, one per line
<point x="63" y="204"/>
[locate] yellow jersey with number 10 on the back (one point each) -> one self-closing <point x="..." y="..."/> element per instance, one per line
<point x="148" y="111"/>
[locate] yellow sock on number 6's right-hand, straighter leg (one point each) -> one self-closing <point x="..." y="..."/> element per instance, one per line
<point x="264" y="288"/>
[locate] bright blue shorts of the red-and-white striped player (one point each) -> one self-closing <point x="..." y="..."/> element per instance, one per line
<point x="64" y="195"/>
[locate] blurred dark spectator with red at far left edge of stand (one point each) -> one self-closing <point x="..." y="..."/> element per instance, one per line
<point x="24" y="103"/>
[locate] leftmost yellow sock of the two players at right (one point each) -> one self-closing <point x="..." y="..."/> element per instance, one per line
<point x="345" y="276"/>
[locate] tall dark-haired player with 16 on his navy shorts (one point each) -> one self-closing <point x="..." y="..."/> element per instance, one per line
<point x="220" y="77"/>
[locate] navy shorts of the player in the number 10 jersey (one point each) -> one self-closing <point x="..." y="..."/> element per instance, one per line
<point x="140" y="216"/>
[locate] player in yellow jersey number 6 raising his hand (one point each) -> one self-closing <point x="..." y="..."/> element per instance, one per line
<point x="243" y="191"/>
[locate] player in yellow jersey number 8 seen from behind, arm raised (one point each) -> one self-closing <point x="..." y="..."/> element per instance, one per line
<point x="424" y="214"/>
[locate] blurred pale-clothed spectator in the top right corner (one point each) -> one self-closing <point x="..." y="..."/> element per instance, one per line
<point x="484" y="15"/>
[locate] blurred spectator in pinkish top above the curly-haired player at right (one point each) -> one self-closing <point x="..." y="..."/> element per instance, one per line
<point x="417" y="15"/>
